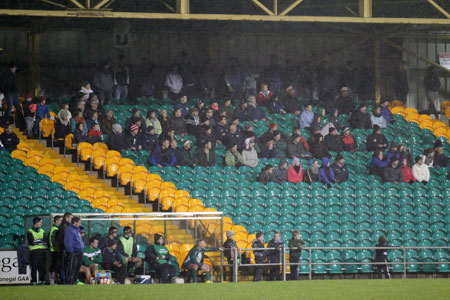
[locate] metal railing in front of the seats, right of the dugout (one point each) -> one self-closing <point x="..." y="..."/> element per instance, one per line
<point x="283" y="264"/>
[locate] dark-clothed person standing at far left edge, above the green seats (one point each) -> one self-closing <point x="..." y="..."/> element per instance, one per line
<point x="8" y="86"/>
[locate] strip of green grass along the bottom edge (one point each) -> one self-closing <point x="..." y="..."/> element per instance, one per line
<point x="417" y="289"/>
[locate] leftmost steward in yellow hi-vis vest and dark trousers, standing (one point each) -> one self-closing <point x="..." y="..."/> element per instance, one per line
<point x="37" y="243"/>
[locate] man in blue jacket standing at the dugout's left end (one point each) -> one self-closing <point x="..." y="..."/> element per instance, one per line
<point x="73" y="245"/>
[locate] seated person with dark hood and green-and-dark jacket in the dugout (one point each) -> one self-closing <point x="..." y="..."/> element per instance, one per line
<point x="159" y="258"/>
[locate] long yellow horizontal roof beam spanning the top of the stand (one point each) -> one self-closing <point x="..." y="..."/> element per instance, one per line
<point x="84" y="13"/>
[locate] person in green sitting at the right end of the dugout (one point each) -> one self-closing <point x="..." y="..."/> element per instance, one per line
<point x="194" y="260"/>
